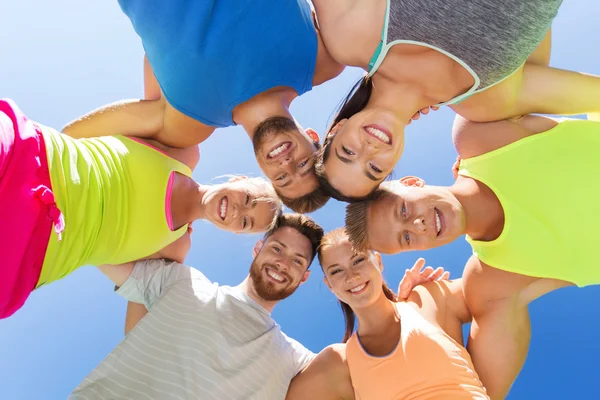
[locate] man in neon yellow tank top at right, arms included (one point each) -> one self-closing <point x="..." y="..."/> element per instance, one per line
<point x="521" y="194"/>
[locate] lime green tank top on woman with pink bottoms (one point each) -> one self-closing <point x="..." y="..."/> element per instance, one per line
<point x="113" y="193"/>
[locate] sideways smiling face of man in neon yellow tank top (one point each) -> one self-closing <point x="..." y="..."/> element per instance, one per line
<point x="414" y="218"/>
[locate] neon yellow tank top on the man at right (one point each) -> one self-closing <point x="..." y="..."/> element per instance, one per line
<point x="549" y="189"/>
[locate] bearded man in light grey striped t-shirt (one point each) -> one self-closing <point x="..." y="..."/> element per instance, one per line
<point x="201" y="340"/>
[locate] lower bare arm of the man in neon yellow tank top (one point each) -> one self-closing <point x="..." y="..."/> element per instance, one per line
<point x="501" y="331"/>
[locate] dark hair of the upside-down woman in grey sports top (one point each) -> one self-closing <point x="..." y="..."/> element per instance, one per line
<point x="355" y="101"/>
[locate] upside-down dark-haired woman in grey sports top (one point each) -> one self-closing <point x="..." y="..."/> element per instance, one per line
<point x="487" y="60"/>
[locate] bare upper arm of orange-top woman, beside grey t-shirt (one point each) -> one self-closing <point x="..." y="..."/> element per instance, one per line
<point x="326" y="378"/>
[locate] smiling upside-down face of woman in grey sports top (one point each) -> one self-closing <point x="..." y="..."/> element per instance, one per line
<point x="363" y="151"/>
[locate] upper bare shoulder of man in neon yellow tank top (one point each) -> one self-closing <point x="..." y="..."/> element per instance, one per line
<point x="472" y="139"/>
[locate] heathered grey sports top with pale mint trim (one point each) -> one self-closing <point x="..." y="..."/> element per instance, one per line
<point x="490" y="39"/>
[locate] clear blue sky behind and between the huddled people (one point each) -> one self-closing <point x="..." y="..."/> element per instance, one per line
<point x="62" y="58"/>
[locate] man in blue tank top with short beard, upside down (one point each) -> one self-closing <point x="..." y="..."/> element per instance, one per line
<point x="223" y="63"/>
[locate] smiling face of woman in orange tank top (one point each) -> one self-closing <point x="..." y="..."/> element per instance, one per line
<point x="354" y="278"/>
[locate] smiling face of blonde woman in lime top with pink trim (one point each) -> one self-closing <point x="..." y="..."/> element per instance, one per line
<point x="240" y="205"/>
